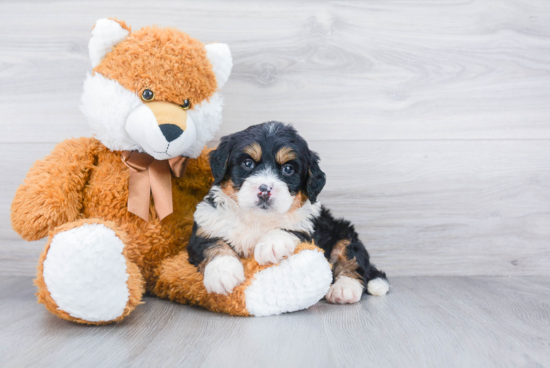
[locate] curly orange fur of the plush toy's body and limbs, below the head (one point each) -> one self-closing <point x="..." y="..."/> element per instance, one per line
<point x="84" y="182"/>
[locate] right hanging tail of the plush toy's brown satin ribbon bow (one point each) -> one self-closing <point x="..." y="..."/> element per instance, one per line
<point x="161" y="186"/>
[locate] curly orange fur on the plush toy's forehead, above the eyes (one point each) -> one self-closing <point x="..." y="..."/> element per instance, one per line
<point x="165" y="60"/>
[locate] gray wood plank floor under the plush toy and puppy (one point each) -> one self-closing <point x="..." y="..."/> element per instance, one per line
<point x="423" y="322"/>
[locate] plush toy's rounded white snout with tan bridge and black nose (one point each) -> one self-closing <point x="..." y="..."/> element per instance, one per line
<point x="163" y="129"/>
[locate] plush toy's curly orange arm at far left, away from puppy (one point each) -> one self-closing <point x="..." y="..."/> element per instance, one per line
<point x="52" y="191"/>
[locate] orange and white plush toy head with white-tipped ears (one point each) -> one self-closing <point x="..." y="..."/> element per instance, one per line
<point x="154" y="90"/>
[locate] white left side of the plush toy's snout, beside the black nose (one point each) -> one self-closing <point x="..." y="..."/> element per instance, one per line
<point x="143" y="128"/>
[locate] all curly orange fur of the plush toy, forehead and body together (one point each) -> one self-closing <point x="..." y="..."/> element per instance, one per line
<point x="84" y="182"/>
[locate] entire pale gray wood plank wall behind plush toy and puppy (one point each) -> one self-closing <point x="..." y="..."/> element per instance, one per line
<point x="432" y="118"/>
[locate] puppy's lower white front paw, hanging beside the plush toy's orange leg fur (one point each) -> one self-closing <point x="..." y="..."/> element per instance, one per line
<point x="222" y="274"/>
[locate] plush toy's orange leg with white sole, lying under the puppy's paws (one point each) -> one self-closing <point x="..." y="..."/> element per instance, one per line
<point x="296" y="283"/>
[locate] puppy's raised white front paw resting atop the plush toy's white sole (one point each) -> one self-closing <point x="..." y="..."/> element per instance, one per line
<point x="274" y="246"/>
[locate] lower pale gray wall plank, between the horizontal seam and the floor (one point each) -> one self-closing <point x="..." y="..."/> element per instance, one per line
<point x="422" y="208"/>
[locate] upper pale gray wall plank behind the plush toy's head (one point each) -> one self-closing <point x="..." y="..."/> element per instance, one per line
<point x="439" y="69"/>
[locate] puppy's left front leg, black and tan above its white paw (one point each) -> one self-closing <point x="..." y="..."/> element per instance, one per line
<point x="219" y="263"/>
